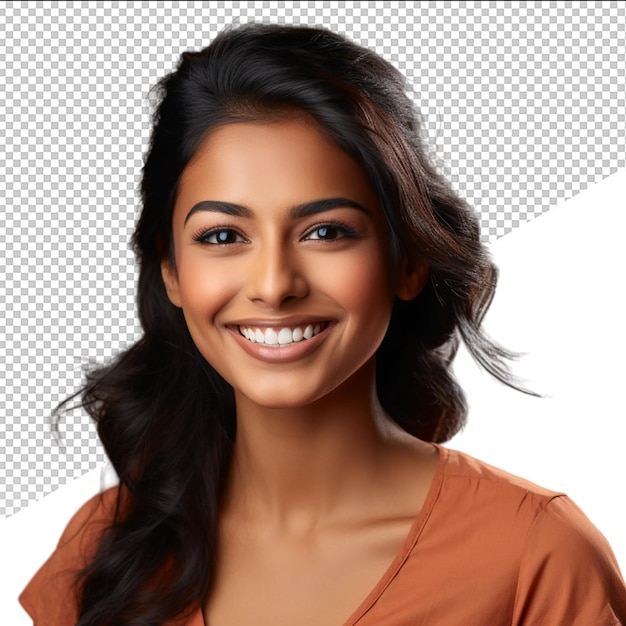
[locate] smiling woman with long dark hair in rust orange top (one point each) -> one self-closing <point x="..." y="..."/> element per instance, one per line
<point x="305" y="277"/>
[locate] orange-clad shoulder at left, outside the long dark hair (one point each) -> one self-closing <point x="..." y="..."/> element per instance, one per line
<point x="48" y="596"/>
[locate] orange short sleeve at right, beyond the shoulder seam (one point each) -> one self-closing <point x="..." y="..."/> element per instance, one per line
<point x="568" y="572"/>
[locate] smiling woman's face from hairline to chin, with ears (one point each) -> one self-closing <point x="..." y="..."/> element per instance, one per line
<point x="282" y="262"/>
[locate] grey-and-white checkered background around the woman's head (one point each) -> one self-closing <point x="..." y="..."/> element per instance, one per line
<point x="524" y="104"/>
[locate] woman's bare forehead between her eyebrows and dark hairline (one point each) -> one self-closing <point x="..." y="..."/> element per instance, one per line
<point x="283" y="160"/>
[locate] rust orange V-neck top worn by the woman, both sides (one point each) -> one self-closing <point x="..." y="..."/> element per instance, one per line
<point x="487" y="549"/>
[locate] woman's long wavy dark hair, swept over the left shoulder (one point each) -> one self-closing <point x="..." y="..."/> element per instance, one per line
<point x="165" y="417"/>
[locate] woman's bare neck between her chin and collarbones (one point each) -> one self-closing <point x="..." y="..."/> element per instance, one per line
<point x="304" y="466"/>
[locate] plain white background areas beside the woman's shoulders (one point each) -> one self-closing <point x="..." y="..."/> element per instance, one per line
<point x="561" y="301"/>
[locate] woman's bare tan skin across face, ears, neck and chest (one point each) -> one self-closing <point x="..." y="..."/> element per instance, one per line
<point x="323" y="488"/>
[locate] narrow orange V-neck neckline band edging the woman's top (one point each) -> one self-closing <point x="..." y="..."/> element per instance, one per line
<point x="407" y="547"/>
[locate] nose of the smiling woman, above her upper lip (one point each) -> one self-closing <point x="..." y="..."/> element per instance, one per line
<point x="275" y="276"/>
